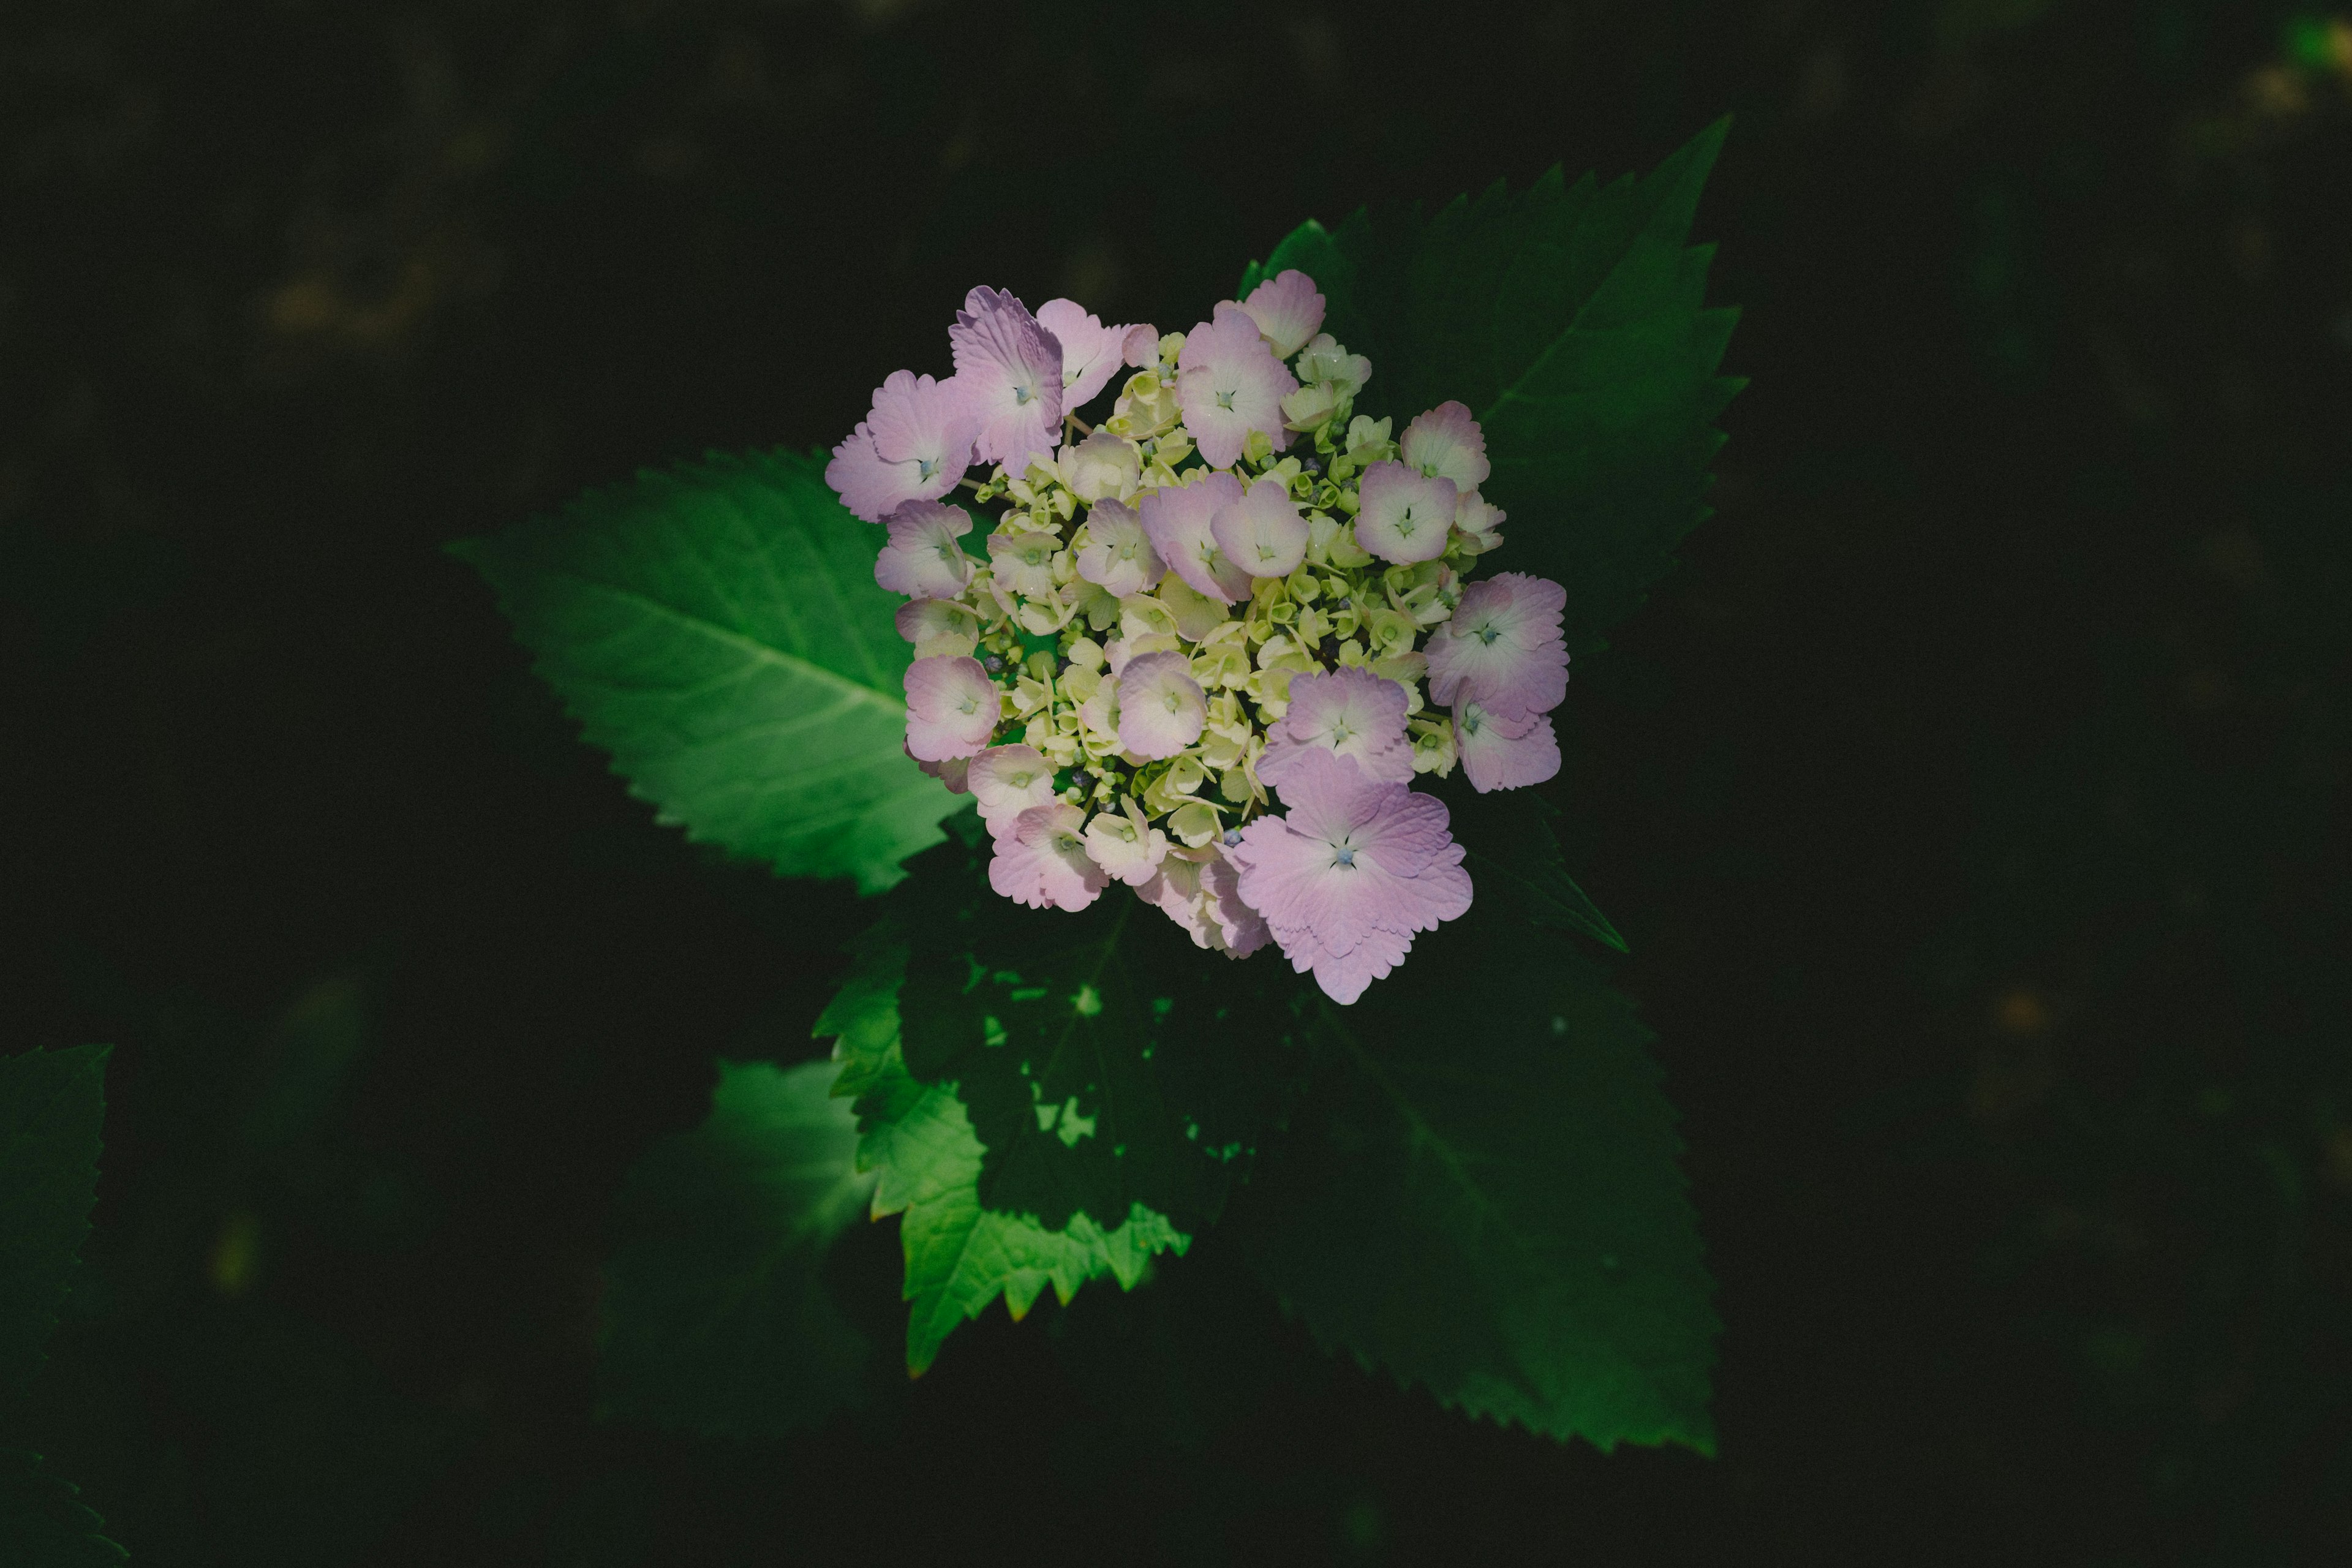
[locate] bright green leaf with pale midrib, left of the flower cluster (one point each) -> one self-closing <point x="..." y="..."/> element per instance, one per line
<point x="721" y="634"/>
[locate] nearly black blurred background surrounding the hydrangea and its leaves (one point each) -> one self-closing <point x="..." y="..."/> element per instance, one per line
<point x="1975" y="798"/>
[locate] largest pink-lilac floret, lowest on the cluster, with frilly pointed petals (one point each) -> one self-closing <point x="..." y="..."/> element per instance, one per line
<point x="1351" y="873"/>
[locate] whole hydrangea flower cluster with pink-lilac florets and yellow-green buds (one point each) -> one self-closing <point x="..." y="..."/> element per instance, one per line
<point x="1208" y="645"/>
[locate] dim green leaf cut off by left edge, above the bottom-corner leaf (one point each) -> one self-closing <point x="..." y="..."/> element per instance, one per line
<point x="51" y="1113"/>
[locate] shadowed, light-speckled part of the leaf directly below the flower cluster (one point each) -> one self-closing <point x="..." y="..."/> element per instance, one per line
<point x="1102" y="1057"/>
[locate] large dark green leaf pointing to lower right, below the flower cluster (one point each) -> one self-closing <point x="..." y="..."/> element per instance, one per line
<point x="1481" y="1198"/>
